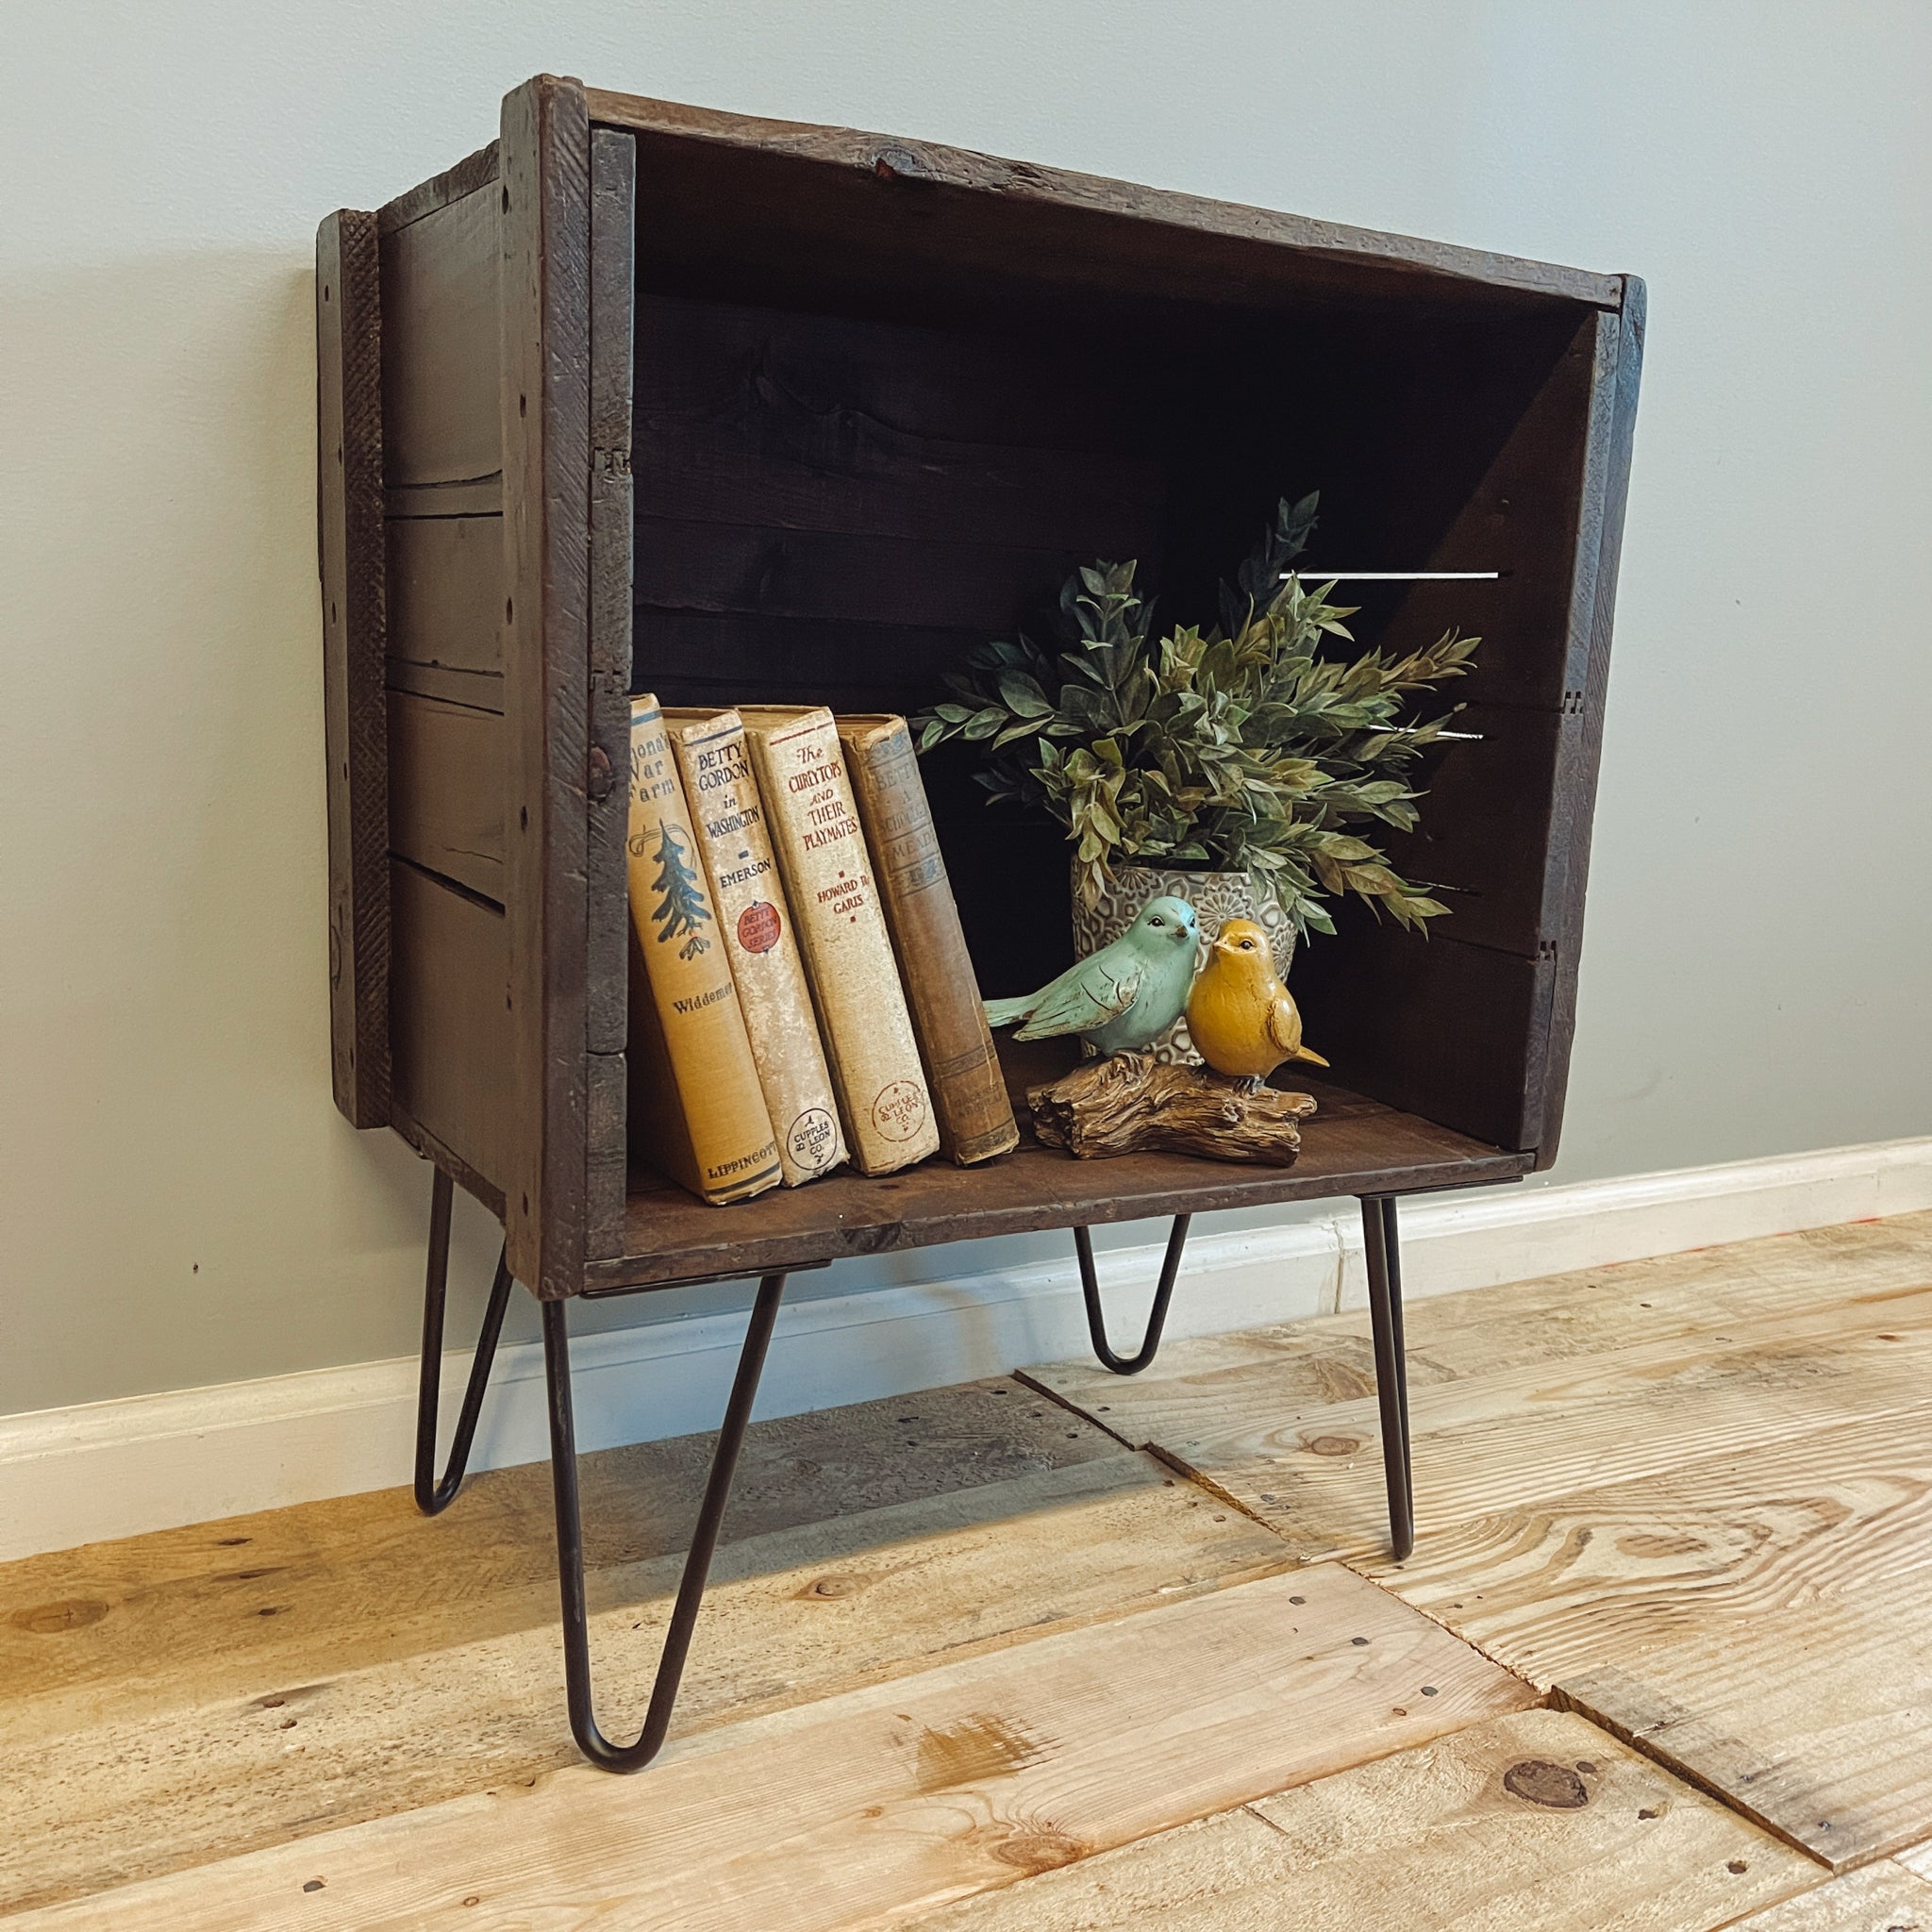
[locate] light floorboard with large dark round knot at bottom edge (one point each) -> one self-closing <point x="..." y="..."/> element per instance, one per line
<point x="1531" y="1823"/>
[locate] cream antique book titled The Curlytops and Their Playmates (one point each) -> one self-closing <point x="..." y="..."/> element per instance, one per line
<point x="841" y="930"/>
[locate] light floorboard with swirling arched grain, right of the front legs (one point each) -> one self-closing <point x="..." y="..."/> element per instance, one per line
<point x="1755" y="1620"/>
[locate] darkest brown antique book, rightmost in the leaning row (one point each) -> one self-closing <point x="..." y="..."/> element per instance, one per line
<point x="955" y="1044"/>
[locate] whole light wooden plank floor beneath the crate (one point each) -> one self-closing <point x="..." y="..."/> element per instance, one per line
<point x="1125" y="1655"/>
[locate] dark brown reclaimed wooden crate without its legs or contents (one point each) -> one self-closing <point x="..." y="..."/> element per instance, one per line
<point x="648" y="397"/>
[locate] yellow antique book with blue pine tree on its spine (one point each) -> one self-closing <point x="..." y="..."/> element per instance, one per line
<point x="696" y="1104"/>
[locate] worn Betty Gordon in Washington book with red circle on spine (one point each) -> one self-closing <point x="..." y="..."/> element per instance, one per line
<point x="760" y="940"/>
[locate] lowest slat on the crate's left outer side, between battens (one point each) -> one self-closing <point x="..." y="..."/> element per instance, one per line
<point x="449" y="1021"/>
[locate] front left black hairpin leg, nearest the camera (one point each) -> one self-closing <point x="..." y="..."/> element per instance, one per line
<point x="696" y="1566"/>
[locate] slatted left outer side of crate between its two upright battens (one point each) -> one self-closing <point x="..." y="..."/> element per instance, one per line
<point x="441" y="459"/>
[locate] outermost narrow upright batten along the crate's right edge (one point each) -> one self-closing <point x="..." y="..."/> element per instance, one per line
<point x="1583" y="743"/>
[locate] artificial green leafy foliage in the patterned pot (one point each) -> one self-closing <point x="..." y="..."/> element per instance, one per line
<point x="1239" y="749"/>
